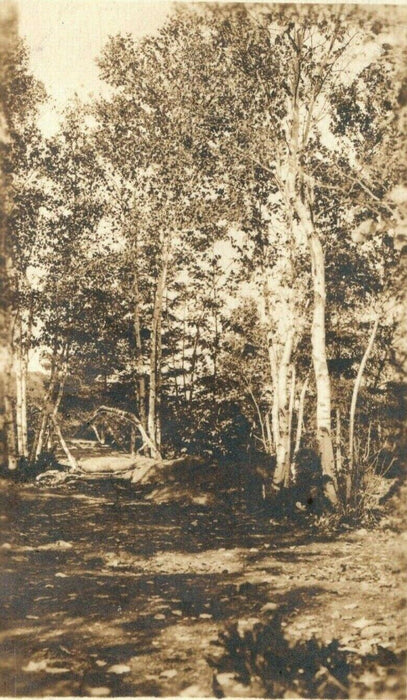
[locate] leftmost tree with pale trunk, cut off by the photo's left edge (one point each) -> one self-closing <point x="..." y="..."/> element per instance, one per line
<point x="21" y="96"/>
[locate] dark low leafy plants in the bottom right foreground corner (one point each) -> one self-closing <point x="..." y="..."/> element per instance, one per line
<point x="262" y="659"/>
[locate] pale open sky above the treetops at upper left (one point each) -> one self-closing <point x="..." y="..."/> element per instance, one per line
<point x="65" y="36"/>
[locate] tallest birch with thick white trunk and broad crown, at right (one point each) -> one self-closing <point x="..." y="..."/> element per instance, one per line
<point x="292" y="86"/>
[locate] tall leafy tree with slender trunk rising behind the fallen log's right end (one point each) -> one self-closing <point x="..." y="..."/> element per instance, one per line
<point x="164" y="204"/>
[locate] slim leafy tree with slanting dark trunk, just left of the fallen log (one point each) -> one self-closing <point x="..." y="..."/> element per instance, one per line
<point x="71" y="250"/>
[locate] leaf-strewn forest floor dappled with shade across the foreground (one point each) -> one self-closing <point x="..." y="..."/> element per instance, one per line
<point x="105" y="594"/>
